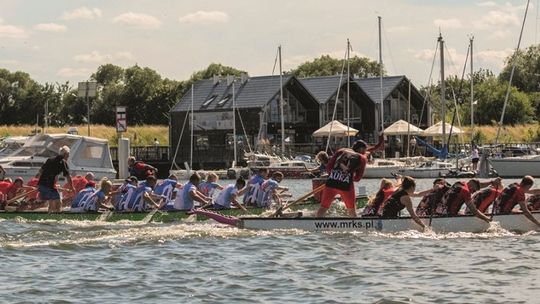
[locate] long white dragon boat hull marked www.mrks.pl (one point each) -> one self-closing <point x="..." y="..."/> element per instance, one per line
<point x="463" y="223"/>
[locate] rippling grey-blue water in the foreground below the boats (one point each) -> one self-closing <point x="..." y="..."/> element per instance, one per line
<point x="90" y="262"/>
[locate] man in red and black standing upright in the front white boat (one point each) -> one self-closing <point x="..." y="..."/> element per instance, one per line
<point x="344" y="168"/>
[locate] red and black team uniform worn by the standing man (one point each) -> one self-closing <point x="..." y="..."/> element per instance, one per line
<point x="344" y="168"/>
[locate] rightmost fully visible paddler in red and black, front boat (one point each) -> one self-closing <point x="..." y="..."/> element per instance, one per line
<point x="513" y="195"/>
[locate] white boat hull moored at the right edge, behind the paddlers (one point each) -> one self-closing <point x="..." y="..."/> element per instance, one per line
<point x="517" y="166"/>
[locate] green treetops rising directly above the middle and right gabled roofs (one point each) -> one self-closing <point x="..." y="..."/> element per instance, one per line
<point x="328" y="66"/>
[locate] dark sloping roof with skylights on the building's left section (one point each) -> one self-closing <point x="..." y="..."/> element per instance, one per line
<point x="255" y="92"/>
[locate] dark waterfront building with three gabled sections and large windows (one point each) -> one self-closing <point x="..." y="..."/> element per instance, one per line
<point x="308" y="104"/>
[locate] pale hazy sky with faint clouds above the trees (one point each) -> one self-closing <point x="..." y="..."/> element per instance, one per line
<point x="66" y="40"/>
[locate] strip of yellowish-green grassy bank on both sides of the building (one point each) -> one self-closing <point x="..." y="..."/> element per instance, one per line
<point x="144" y="135"/>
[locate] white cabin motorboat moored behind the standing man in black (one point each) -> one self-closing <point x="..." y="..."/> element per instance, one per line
<point x="88" y="154"/>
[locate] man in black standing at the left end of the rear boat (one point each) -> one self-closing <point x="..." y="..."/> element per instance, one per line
<point x="48" y="172"/>
